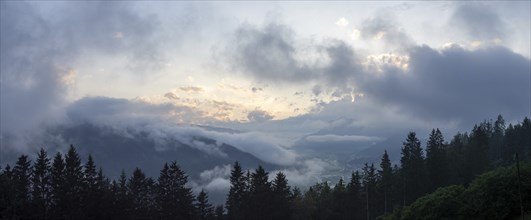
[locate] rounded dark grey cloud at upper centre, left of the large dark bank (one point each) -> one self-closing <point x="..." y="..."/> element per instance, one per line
<point x="270" y="53"/>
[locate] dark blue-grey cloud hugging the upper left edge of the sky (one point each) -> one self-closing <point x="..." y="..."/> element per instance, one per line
<point x="30" y="83"/>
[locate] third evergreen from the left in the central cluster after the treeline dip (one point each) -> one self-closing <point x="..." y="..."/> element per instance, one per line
<point x="281" y="197"/>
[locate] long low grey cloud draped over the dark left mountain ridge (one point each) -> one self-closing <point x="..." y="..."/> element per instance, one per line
<point x="158" y="121"/>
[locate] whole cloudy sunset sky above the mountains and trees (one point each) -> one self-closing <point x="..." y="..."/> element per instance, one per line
<point x="280" y="71"/>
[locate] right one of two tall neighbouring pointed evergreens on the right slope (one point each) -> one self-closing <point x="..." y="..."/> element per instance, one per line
<point x="436" y="160"/>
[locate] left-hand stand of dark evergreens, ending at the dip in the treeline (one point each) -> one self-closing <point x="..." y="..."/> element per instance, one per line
<point x="63" y="188"/>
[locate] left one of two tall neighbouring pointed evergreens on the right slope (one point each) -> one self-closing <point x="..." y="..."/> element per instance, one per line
<point x="413" y="169"/>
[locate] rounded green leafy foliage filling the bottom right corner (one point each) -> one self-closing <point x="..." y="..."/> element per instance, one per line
<point x="492" y="195"/>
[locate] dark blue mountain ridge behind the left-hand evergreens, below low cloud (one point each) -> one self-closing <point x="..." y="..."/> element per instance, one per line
<point x="115" y="150"/>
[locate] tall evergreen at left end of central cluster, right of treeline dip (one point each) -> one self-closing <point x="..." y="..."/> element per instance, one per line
<point x="237" y="197"/>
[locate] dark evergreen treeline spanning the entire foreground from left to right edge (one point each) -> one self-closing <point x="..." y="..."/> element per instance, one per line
<point x="62" y="188"/>
